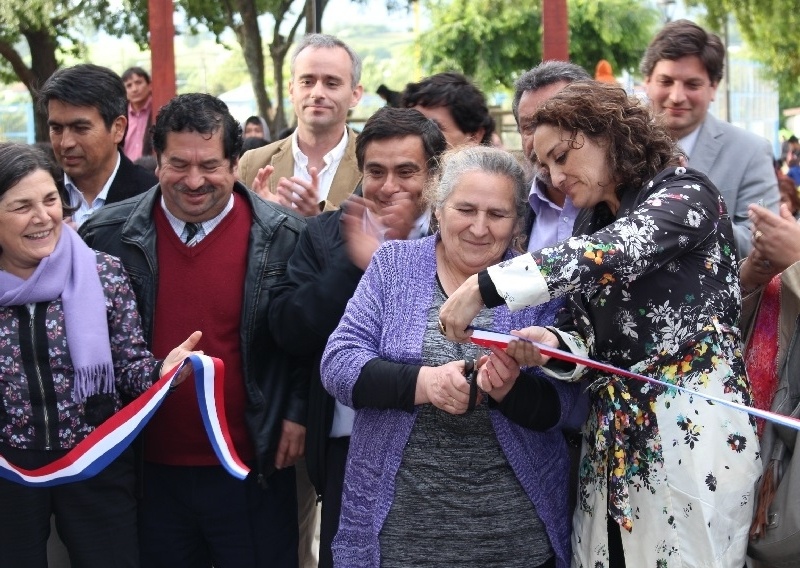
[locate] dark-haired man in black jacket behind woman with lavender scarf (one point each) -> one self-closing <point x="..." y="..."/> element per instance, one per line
<point x="86" y="111"/>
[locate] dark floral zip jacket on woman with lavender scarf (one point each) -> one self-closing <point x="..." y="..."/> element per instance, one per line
<point x="134" y="365"/>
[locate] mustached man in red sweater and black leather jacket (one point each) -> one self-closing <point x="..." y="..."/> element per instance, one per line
<point x="203" y="253"/>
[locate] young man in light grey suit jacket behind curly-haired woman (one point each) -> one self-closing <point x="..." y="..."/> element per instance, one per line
<point x="682" y="67"/>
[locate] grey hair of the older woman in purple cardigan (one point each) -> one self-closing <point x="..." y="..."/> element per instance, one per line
<point x="463" y="160"/>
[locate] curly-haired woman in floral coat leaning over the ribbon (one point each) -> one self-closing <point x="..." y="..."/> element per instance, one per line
<point x="650" y="276"/>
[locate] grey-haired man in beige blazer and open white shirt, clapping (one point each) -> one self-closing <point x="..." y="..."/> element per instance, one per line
<point x="314" y="169"/>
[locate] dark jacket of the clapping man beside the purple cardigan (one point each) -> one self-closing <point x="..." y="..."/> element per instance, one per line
<point x="307" y="305"/>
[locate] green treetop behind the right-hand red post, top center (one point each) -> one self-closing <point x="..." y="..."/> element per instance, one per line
<point x="493" y="41"/>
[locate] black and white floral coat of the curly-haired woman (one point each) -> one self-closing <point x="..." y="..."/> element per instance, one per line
<point x="656" y="291"/>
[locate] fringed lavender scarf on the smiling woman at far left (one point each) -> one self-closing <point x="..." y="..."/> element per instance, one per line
<point x="71" y="274"/>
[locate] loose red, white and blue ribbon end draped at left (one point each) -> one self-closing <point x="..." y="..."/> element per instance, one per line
<point x="106" y="442"/>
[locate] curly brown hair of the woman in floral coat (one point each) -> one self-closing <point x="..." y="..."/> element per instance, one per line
<point x="637" y="146"/>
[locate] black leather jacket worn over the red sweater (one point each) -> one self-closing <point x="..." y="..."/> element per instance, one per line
<point x="127" y="230"/>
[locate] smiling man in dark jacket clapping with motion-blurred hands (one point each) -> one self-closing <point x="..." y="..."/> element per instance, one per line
<point x="397" y="151"/>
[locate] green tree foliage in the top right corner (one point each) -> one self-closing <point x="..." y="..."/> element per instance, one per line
<point x="770" y="30"/>
